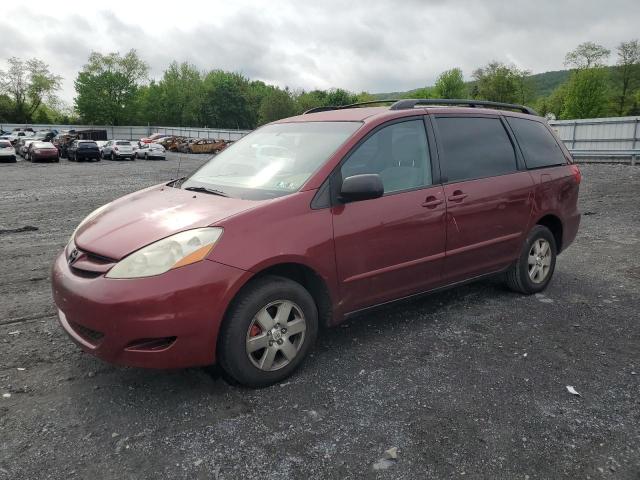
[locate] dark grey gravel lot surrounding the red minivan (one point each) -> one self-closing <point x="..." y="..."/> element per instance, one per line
<point x="470" y="382"/>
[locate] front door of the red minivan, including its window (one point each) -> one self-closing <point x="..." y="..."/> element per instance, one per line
<point x="391" y="246"/>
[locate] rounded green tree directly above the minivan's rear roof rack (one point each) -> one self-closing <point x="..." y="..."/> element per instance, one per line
<point x="499" y="83"/>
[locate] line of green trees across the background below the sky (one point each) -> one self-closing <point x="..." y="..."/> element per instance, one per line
<point x="115" y="89"/>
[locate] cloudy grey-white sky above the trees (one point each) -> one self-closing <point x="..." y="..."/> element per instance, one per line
<point x="371" y="45"/>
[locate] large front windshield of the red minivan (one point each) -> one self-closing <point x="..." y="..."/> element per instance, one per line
<point x="273" y="161"/>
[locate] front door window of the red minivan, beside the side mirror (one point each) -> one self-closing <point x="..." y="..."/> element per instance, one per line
<point x="398" y="153"/>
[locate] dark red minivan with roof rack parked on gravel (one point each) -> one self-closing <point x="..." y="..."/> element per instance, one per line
<point x="309" y="220"/>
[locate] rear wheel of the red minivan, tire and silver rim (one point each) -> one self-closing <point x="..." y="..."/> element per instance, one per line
<point x="527" y="278"/>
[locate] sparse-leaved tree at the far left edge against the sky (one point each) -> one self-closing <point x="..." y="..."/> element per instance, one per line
<point x="28" y="83"/>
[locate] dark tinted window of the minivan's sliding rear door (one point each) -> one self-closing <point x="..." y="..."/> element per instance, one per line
<point x="474" y="147"/>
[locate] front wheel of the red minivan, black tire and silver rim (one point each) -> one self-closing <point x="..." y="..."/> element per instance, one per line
<point x="267" y="296"/>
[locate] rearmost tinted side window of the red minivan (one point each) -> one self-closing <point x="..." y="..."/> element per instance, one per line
<point x="539" y="147"/>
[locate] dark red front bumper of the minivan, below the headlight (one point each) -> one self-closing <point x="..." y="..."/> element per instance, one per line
<point x="167" y="321"/>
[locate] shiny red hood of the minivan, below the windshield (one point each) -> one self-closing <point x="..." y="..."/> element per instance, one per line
<point x="136" y="220"/>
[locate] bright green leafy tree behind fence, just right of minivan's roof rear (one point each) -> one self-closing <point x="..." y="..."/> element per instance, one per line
<point x="586" y="94"/>
